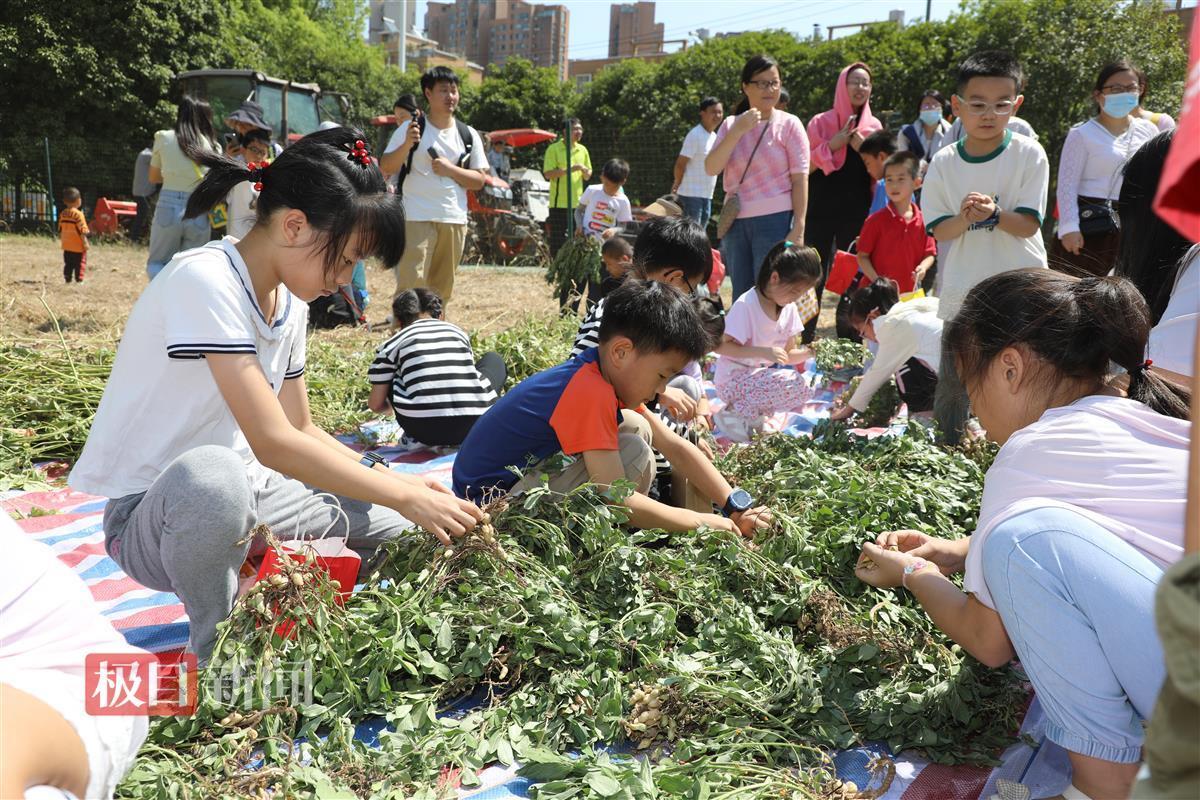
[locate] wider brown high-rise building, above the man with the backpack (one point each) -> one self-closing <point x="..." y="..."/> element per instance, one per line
<point x="493" y="32"/>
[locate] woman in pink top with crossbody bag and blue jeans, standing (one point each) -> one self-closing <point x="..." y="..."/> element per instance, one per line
<point x="764" y="158"/>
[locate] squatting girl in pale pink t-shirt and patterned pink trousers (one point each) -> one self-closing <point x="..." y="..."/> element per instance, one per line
<point x="755" y="376"/>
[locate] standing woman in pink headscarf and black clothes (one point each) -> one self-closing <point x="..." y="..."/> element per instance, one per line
<point x="839" y="185"/>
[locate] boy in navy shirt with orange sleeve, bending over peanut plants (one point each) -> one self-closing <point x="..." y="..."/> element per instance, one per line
<point x="592" y="411"/>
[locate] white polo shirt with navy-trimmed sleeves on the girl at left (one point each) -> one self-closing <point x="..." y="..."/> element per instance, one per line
<point x="161" y="400"/>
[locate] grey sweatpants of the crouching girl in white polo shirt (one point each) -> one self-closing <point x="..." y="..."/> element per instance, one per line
<point x="182" y="536"/>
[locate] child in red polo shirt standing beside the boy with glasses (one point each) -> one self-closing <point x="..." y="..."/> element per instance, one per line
<point x="893" y="243"/>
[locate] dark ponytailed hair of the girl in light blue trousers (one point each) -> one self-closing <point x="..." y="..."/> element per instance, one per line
<point x="1078" y="328"/>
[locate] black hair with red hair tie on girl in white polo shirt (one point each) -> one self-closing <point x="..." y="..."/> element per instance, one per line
<point x="341" y="197"/>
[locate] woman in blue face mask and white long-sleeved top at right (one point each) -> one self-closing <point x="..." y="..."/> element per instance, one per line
<point x="1090" y="175"/>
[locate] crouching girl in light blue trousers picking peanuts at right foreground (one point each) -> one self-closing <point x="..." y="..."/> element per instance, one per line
<point x="1083" y="510"/>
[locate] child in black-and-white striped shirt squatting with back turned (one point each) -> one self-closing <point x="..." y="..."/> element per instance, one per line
<point x="428" y="375"/>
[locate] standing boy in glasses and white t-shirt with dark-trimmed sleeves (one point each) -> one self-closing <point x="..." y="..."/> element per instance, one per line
<point x="983" y="202"/>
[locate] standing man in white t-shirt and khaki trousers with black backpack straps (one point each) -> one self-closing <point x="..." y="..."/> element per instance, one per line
<point x="447" y="161"/>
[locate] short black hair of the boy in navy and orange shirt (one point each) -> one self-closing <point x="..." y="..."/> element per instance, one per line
<point x="656" y="317"/>
